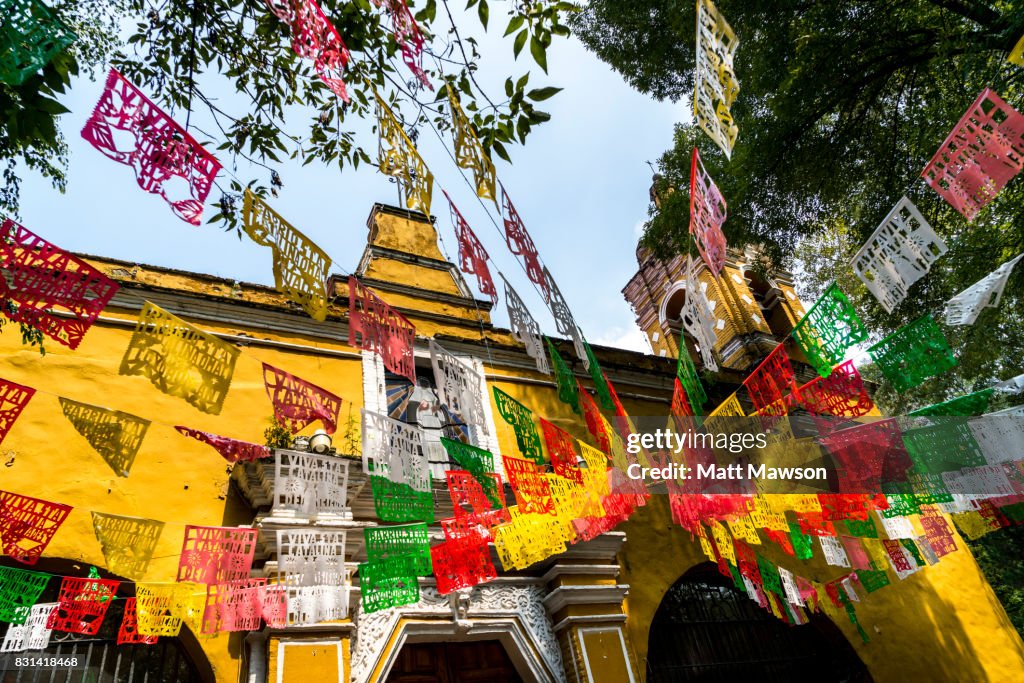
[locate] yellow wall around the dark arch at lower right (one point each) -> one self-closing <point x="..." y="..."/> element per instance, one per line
<point x="942" y="624"/>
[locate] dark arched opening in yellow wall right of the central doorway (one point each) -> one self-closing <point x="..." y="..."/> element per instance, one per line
<point x="706" y="630"/>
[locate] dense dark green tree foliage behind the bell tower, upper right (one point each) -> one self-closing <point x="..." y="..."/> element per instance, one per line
<point x="842" y="105"/>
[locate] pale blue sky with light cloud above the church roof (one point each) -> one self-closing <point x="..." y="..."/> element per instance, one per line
<point x="580" y="184"/>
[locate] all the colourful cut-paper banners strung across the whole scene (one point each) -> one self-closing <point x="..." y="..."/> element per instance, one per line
<point x="586" y="492"/>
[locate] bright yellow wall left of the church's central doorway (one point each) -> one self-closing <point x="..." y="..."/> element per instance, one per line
<point x="175" y="480"/>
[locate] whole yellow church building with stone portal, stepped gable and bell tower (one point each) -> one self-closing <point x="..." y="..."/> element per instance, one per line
<point x="616" y="610"/>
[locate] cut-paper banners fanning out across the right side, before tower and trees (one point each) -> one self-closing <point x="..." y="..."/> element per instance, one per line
<point x="907" y="462"/>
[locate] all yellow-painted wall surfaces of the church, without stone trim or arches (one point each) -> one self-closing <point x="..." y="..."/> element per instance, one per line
<point x="942" y="624"/>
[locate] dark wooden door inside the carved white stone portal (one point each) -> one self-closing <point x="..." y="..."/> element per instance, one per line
<point x="479" y="662"/>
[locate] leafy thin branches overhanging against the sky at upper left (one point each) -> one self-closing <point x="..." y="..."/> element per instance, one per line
<point x="228" y="70"/>
